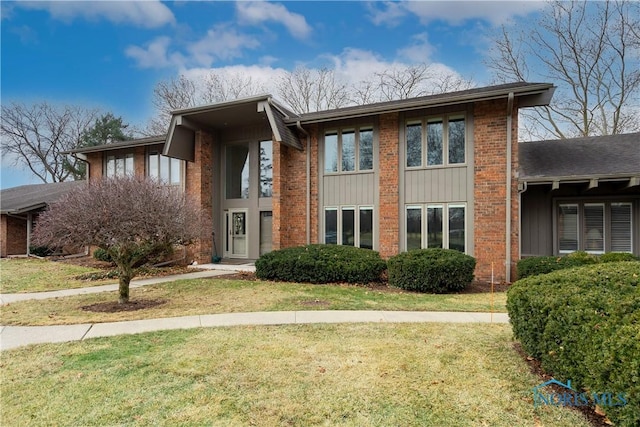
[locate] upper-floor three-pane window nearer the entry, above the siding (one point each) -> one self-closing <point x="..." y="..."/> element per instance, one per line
<point x="348" y="150"/>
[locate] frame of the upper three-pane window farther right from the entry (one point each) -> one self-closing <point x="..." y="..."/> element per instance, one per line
<point x="445" y="153"/>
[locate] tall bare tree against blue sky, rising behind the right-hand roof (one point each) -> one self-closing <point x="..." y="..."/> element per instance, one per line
<point x="590" y="50"/>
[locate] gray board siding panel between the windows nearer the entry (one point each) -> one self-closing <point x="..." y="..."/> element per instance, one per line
<point x="349" y="189"/>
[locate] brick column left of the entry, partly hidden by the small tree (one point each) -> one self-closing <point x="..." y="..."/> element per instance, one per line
<point x="199" y="189"/>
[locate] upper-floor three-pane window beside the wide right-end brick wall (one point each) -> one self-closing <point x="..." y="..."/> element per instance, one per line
<point x="435" y="141"/>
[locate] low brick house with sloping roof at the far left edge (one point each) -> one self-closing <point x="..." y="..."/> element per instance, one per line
<point x="19" y="209"/>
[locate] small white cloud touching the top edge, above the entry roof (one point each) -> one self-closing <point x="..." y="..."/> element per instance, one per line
<point x="262" y="11"/>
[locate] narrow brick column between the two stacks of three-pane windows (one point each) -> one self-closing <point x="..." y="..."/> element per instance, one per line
<point x="388" y="183"/>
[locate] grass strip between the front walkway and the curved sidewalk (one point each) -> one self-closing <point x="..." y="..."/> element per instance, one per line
<point x="209" y="296"/>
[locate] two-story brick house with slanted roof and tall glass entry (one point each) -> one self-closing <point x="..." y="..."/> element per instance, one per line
<point x="434" y="171"/>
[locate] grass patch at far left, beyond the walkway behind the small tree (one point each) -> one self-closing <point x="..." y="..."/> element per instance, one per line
<point x="35" y="275"/>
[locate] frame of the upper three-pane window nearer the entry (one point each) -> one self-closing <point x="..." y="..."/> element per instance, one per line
<point x="356" y="130"/>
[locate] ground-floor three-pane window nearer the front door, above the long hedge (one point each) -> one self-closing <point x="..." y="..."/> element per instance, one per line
<point x="349" y="226"/>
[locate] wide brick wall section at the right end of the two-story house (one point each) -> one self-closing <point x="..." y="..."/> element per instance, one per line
<point x="490" y="157"/>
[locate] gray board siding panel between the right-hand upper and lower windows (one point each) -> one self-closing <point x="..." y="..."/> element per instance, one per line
<point x="436" y="185"/>
